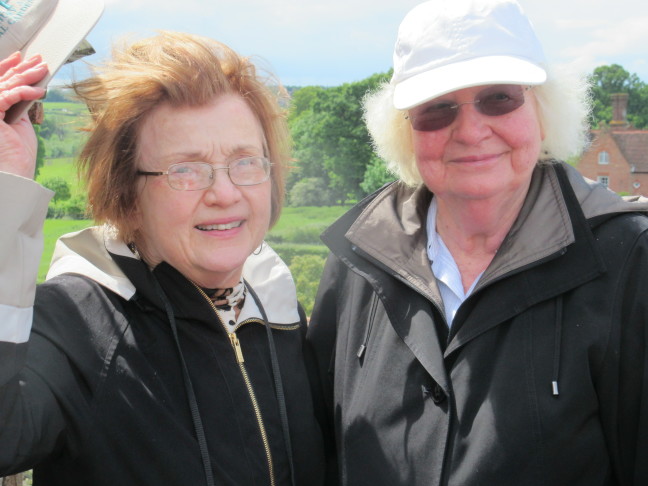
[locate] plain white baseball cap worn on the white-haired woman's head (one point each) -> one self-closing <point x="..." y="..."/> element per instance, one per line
<point x="446" y="45"/>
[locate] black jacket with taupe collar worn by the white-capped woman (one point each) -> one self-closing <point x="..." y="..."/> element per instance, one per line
<point x="542" y="378"/>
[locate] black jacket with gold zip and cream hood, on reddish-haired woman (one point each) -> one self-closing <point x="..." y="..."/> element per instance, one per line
<point x="100" y="398"/>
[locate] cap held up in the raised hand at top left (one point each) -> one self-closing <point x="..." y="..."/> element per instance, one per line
<point x="52" y="28"/>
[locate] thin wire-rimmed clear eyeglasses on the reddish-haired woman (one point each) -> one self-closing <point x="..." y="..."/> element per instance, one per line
<point x="194" y="176"/>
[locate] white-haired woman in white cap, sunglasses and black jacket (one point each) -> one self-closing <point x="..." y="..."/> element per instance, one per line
<point x="483" y="320"/>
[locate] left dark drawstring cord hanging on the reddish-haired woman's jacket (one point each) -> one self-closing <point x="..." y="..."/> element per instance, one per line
<point x="191" y="395"/>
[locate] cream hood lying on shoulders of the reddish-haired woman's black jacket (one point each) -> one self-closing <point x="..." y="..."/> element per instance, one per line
<point x="94" y="253"/>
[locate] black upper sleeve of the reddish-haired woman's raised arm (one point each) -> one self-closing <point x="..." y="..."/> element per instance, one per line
<point x="75" y="324"/>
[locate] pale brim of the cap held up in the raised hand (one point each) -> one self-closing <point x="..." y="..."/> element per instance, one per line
<point x="67" y="26"/>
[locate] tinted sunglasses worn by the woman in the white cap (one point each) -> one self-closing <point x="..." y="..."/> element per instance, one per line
<point x="492" y="101"/>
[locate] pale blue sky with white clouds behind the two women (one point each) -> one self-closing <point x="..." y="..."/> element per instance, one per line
<point x="308" y="42"/>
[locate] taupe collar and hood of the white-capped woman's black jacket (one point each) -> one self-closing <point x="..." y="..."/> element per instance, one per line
<point x="542" y="228"/>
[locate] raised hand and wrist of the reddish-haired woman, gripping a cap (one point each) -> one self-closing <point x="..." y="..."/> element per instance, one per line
<point x="18" y="143"/>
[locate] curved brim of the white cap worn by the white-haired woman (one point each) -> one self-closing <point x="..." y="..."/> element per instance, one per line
<point x="433" y="83"/>
